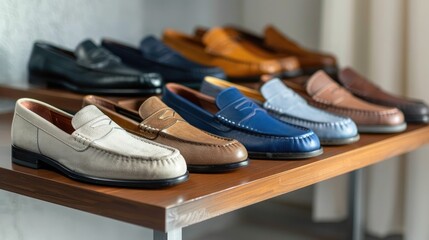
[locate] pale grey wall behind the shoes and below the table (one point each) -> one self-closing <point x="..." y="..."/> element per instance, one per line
<point x="66" y="23"/>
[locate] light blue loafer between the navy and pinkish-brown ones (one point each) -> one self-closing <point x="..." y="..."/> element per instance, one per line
<point x="284" y="104"/>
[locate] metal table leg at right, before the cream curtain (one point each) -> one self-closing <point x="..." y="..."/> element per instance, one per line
<point x="356" y="204"/>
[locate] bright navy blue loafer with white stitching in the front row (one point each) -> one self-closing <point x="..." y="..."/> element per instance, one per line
<point x="233" y="115"/>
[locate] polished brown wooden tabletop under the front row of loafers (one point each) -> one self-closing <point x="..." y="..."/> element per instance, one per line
<point x="205" y="195"/>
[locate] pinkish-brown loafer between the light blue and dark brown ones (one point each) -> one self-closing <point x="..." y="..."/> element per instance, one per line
<point x="323" y="92"/>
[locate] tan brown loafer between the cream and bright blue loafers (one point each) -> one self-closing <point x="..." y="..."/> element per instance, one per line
<point x="154" y="120"/>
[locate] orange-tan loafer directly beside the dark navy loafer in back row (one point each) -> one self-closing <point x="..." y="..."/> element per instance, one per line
<point x="195" y="50"/>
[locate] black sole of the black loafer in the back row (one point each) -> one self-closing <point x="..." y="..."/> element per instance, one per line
<point x="50" y="81"/>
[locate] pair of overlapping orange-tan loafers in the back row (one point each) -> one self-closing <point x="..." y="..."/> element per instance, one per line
<point x="219" y="48"/>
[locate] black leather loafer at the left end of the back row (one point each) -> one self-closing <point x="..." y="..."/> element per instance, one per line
<point x="90" y="69"/>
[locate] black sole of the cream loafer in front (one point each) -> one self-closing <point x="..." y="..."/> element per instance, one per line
<point x="36" y="161"/>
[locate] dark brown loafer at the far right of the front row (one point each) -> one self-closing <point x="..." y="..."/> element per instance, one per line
<point x="414" y="110"/>
